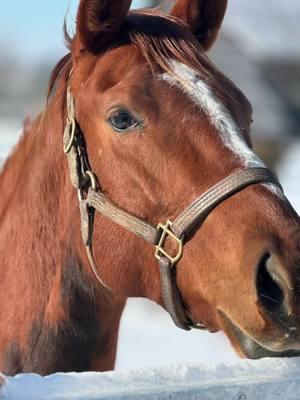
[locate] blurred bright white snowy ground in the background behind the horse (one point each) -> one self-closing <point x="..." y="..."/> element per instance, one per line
<point x="148" y="337"/>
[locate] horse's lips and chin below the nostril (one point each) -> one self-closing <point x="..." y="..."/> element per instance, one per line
<point x="247" y="347"/>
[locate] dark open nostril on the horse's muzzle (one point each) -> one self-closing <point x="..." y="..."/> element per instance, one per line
<point x="270" y="293"/>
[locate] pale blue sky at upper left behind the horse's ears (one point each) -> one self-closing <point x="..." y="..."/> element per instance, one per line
<point x="33" y="28"/>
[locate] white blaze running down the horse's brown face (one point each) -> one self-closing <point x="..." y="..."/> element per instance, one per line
<point x="200" y="93"/>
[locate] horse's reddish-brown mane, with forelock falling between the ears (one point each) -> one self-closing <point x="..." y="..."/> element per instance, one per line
<point x="160" y="38"/>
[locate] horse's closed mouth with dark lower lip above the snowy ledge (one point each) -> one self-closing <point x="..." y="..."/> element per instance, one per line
<point x="250" y="348"/>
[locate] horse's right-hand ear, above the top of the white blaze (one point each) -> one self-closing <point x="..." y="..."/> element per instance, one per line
<point x="203" y="16"/>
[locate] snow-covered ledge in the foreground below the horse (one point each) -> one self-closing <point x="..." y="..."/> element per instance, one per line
<point x="266" y="379"/>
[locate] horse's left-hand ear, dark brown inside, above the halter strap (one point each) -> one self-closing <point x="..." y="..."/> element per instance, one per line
<point x="98" y="21"/>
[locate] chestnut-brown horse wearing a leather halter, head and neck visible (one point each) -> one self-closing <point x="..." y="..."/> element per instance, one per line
<point x="142" y="123"/>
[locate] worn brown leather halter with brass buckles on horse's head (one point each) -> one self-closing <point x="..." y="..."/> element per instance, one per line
<point x="92" y="199"/>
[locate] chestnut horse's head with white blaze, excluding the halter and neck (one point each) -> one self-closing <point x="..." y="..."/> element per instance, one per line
<point x="163" y="125"/>
